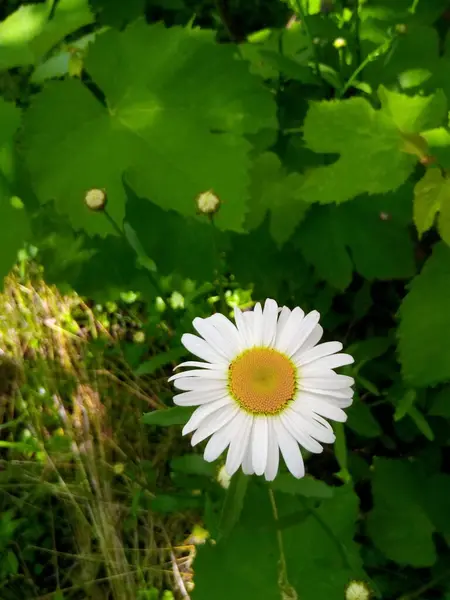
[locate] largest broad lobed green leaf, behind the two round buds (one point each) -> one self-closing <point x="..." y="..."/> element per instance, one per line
<point x="175" y="125"/>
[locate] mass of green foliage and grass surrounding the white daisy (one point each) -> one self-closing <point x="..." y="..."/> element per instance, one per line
<point x="322" y="129"/>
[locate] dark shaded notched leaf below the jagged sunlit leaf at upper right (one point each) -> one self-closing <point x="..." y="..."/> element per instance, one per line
<point x="331" y="238"/>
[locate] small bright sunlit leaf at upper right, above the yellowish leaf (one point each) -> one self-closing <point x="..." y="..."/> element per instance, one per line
<point x="414" y="114"/>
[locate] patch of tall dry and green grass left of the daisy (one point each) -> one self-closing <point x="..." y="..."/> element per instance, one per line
<point x="78" y="470"/>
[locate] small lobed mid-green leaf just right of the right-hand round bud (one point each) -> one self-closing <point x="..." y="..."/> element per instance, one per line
<point x="275" y="191"/>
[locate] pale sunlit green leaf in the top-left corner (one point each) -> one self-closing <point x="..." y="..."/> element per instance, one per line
<point x="33" y="29"/>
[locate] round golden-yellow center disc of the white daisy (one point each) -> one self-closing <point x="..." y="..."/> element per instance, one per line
<point x="262" y="380"/>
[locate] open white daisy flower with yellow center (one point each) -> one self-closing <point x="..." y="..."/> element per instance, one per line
<point x="265" y="386"/>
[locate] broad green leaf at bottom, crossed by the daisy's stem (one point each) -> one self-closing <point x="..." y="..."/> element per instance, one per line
<point x="320" y="552"/>
